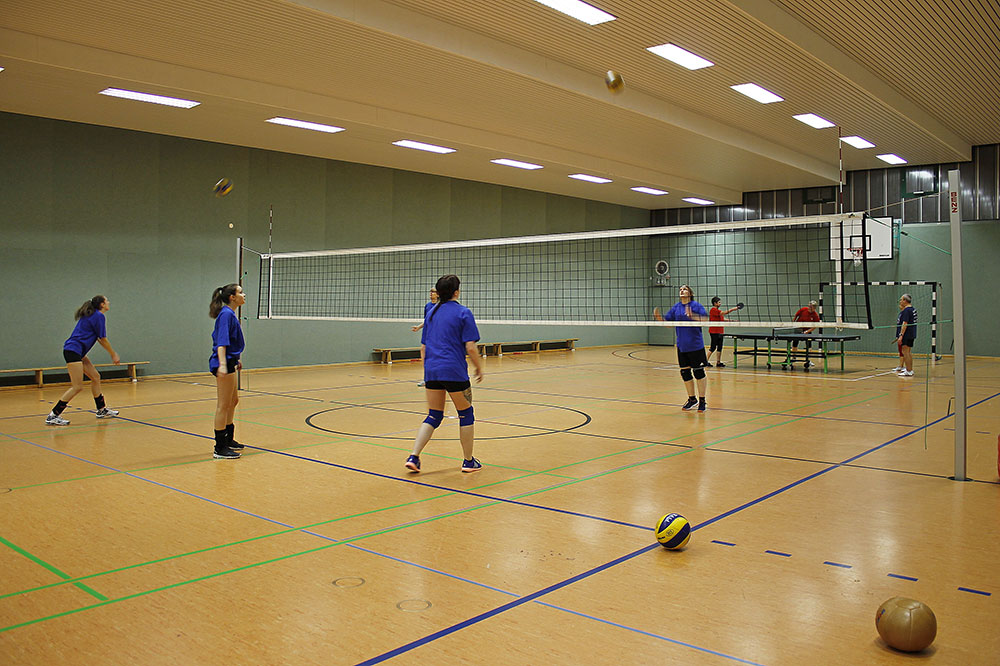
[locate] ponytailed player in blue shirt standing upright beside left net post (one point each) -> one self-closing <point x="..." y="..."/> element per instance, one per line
<point x="227" y="345"/>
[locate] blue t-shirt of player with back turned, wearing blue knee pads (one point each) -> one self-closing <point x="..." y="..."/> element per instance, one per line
<point x="444" y="336"/>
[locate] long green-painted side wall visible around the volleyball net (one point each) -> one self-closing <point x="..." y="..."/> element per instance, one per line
<point x="87" y="209"/>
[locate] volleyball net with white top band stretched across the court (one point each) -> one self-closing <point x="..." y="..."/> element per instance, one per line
<point x="602" y="278"/>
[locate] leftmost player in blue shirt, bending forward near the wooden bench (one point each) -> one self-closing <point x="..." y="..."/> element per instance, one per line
<point x="90" y="328"/>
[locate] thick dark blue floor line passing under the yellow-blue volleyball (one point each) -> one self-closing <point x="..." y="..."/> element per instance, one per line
<point x="483" y="616"/>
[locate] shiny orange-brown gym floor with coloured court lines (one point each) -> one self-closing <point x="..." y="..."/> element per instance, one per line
<point x="813" y="497"/>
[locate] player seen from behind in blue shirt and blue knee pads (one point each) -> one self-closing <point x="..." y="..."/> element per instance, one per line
<point x="449" y="334"/>
